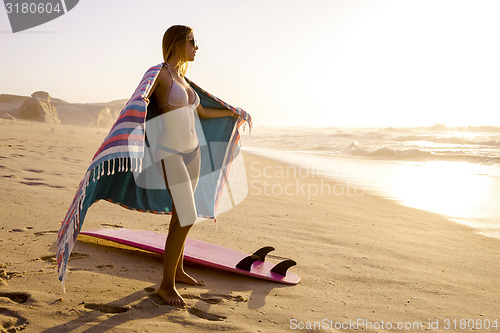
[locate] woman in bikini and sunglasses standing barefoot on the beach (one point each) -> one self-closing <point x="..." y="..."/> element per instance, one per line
<point x="178" y="154"/>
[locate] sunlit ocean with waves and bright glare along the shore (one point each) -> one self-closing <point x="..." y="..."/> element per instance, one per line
<point x="454" y="172"/>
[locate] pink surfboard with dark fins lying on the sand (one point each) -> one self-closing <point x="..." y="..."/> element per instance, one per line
<point x="206" y="254"/>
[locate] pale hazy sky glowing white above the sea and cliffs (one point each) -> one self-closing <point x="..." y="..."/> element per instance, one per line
<point x="324" y="63"/>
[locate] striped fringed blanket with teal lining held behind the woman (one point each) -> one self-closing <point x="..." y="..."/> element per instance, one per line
<point x="122" y="160"/>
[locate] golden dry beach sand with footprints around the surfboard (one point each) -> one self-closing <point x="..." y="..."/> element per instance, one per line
<point x="360" y="257"/>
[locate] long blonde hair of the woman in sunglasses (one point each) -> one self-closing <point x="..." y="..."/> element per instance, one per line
<point x="175" y="39"/>
